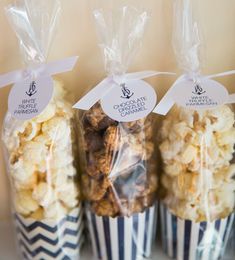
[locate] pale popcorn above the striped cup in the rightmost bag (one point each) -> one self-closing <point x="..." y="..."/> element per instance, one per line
<point x="198" y="176"/>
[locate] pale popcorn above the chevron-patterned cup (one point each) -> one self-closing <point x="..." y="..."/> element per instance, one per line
<point x="41" y="161"/>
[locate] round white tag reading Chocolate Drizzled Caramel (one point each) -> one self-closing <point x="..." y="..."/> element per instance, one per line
<point x="130" y="101"/>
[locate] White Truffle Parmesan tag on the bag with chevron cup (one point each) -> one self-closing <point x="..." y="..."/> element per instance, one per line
<point x="29" y="98"/>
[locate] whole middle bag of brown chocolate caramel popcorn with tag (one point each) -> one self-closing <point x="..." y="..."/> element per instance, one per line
<point x="119" y="180"/>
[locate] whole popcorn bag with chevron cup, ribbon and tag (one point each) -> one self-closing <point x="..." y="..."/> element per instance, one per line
<point x="39" y="141"/>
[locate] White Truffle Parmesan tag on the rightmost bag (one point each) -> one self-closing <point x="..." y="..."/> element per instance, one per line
<point x="205" y="94"/>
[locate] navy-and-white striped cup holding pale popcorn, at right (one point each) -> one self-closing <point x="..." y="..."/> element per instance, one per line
<point x="187" y="240"/>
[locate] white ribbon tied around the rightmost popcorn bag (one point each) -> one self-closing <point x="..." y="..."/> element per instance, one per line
<point x="168" y="102"/>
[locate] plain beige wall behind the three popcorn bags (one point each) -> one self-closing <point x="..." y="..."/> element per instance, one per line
<point x="77" y="36"/>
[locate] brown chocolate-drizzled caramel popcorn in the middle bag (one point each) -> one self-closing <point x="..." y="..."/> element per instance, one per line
<point x="119" y="174"/>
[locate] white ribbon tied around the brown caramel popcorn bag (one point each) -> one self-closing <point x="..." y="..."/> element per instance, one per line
<point x="100" y="90"/>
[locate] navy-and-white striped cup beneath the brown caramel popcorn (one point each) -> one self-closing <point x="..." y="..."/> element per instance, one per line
<point x="123" y="238"/>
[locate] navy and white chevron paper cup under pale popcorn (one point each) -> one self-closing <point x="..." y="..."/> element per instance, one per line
<point x="48" y="239"/>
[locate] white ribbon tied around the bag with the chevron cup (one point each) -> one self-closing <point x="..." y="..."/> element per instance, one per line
<point x="49" y="69"/>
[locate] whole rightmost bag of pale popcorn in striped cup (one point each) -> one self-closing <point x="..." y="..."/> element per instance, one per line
<point x="196" y="142"/>
